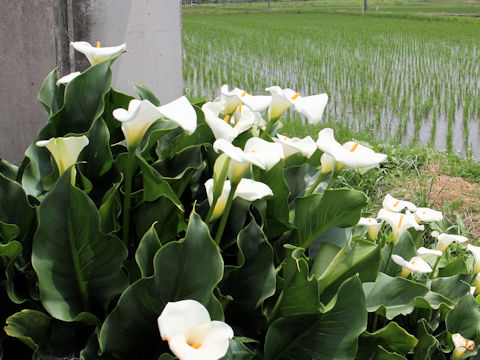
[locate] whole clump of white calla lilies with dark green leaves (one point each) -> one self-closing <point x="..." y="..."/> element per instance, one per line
<point x="200" y="230"/>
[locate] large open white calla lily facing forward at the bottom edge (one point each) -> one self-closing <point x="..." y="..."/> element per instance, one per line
<point x="191" y="334"/>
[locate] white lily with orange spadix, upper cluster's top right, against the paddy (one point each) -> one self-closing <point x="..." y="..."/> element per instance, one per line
<point x="311" y="107"/>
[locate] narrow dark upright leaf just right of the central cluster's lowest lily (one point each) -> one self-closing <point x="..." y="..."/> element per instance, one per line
<point x="277" y="221"/>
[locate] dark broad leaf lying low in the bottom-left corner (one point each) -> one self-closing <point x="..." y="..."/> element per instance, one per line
<point x="49" y="338"/>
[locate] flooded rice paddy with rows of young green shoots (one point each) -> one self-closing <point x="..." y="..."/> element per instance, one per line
<point x="392" y="75"/>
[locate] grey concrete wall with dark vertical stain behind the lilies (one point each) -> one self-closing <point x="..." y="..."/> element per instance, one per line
<point x="35" y="38"/>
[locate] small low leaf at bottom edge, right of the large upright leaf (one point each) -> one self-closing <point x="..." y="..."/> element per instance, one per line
<point x="392" y="337"/>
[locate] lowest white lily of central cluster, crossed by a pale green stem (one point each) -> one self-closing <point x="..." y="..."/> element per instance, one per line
<point x="247" y="189"/>
